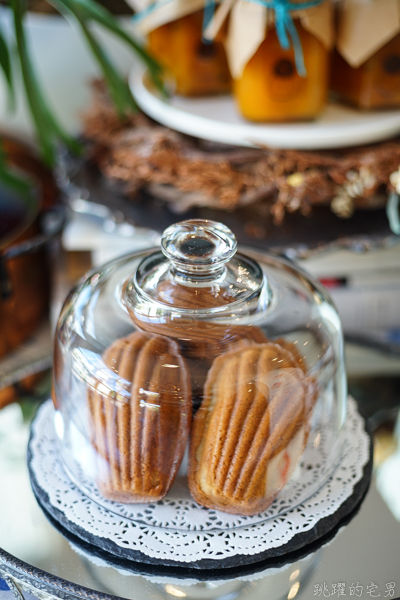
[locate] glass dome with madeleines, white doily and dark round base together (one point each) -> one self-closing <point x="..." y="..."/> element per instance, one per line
<point x="174" y="529"/>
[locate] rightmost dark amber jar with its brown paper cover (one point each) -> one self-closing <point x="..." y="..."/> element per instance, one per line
<point x="366" y="63"/>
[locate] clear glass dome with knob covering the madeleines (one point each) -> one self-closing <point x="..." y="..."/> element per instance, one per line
<point x="195" y="370"/>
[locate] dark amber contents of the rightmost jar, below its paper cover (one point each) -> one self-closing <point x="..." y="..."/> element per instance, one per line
<point x="375" y="84"/>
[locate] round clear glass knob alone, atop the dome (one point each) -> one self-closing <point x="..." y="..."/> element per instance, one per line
<point x="198" y="247"/>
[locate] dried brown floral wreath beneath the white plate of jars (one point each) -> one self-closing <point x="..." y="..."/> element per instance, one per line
<point x="186" y="172"/>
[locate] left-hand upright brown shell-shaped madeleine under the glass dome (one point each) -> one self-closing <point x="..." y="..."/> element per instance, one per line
<point x="141" y="436"/>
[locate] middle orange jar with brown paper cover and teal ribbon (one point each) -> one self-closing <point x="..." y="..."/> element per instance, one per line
<point x="270" y="86"/>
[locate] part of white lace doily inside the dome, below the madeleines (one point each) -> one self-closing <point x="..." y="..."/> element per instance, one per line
<point x="178" y="510"/>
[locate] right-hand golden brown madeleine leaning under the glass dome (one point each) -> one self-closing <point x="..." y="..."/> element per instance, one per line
<point x="251" y="428"/>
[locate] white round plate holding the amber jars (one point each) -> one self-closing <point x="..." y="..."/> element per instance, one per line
<point x="217" y="119"/>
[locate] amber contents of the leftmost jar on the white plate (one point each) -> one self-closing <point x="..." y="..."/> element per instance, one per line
<point x="198" y="68"/>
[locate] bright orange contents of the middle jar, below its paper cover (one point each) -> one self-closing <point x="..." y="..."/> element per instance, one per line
<point x="270" y="89"/>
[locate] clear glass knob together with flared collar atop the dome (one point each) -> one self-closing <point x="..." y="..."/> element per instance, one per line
<point x="196" y="270"/>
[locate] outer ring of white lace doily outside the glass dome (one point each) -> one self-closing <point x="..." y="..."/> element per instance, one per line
<point x="177" y="545"/>
